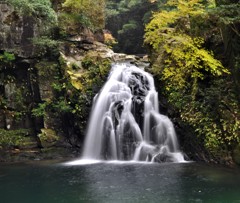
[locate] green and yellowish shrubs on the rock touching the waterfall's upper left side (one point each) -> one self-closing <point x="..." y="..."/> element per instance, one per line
<point x="82" y="82"/>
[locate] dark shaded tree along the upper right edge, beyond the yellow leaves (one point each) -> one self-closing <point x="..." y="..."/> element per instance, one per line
<point x="227" y="14"/>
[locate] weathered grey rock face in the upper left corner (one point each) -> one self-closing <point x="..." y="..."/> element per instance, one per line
<point x="16" y="31"/>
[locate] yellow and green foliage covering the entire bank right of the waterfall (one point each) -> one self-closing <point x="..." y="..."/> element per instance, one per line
<point x="194" y="81"/>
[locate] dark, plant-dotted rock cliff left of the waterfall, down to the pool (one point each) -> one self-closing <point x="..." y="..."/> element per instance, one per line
<point x="38" y="93"/>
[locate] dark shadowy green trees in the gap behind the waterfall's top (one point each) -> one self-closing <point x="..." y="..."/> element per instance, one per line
<point x="126" y="19"/>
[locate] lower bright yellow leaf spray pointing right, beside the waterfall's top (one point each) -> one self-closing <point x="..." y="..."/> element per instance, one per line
<point x="184" y="58"/>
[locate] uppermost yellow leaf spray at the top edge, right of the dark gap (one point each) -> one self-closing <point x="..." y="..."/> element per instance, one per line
<point x="167" y="24"/>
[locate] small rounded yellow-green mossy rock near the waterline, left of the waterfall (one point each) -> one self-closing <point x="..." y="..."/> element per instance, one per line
<point x="48" y="137"/>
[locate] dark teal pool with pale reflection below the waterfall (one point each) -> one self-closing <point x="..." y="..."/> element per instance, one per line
<point x="129" y="182"/>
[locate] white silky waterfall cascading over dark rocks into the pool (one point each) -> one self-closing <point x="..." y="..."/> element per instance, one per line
<point x="125" y="123"/>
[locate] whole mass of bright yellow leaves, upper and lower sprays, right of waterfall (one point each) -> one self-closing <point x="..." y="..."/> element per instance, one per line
<point x="183" y="59"/>
